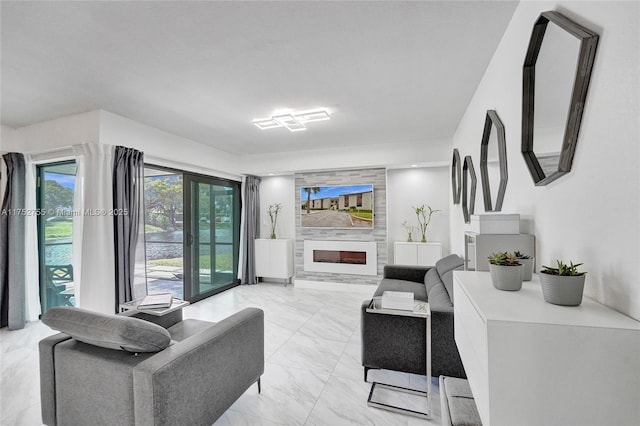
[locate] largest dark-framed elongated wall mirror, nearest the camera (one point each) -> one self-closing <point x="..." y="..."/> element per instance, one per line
<point x="555" y="79"/>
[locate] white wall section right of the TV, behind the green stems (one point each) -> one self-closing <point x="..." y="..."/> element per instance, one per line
<point x="415" y="187"/>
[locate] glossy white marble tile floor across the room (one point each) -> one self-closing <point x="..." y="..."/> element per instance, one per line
<point x="312" y="373"/>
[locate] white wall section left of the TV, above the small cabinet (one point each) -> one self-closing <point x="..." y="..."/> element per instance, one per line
<point x="278" y="189"/>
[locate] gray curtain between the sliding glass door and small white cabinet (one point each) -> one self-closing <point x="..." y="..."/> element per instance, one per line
<point x="251" y="210"/>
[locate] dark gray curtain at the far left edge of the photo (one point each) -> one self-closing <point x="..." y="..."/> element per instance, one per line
<point x="12" y="255"/>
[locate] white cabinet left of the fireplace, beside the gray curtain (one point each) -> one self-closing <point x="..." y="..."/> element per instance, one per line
<point x="274" y="258"/>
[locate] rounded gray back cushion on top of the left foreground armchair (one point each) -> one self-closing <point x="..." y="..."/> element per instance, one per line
<point x="108" y="331"/>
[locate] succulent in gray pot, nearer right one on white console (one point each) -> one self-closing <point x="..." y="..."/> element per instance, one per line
<point x="562" y="285"/>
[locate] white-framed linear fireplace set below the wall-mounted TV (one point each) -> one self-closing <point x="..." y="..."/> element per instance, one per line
<point x="341" y="257"/>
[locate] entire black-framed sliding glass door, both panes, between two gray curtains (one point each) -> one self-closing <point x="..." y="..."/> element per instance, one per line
<point x="192" y="228"/>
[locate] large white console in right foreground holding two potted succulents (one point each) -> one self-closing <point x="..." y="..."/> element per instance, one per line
<point x="530" y="362"/>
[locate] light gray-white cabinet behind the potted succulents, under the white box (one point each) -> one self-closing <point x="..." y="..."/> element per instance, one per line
<point x="478" y="247"/>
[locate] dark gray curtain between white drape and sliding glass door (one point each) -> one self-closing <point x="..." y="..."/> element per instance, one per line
<point x="128" y="181"/>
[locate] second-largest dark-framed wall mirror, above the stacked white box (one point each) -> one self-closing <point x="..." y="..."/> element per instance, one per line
<point x="493" y="162"/>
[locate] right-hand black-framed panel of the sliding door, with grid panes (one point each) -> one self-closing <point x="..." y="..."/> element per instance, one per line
<point x="212" y="242"/>
